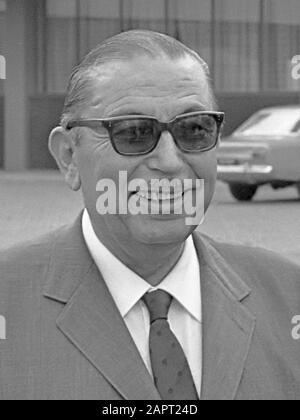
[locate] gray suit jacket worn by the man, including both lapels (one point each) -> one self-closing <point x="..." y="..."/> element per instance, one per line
<point x="67" y="340"/>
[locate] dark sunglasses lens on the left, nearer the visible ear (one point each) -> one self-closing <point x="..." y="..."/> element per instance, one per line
<point x="134" y="136"/>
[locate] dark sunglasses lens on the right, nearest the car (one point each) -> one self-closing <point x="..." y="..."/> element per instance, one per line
<point x="196" y="133"/>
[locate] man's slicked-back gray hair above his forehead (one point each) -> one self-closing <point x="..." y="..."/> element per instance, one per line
<point x="124" y="46"/>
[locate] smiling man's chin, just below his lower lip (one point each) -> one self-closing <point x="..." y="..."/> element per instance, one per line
<point x="159" y="231"/>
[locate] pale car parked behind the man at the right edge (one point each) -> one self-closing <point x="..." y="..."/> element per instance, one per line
<point x="263" y="150"/>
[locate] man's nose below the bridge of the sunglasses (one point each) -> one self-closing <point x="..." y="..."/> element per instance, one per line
<point x="166" y="157"/>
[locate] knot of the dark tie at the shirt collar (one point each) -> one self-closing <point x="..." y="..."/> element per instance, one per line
<point x="158" y="304"/>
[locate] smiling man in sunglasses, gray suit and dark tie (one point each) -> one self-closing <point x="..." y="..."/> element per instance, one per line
<point x="139" y="306"/>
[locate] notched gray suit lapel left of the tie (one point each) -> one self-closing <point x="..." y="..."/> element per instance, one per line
<point x="91" y="320"/>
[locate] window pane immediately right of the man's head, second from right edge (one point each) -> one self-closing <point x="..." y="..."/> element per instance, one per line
<point x="236" y="49"/>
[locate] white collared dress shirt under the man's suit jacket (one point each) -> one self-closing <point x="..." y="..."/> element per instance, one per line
<point x="127" y="289"/>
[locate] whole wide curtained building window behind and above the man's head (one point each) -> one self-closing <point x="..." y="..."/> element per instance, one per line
<point x="248" y="44"/>
